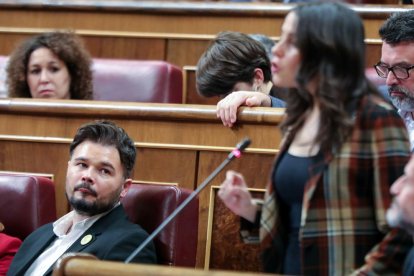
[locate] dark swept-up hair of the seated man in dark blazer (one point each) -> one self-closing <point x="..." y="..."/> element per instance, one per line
<point x="108" y="134"/>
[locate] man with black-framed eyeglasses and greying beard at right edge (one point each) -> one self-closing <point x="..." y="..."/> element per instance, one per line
<point x="397" y="64"/>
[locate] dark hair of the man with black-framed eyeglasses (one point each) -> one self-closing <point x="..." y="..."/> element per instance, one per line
<point x="399" y="27"/>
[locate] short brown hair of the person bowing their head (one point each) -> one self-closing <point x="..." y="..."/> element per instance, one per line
<point x="230" y="58"/>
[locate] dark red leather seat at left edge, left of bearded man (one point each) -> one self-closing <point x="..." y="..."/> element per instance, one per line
<point x="26" y="203"/>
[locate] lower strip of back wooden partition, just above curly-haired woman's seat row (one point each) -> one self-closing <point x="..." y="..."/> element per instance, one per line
<point x="181" y="50"/>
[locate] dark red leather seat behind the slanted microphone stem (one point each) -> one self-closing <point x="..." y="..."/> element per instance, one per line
<point x="149" y="205"/>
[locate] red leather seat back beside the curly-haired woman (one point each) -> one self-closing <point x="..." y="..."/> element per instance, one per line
<point x="137" y="81"/>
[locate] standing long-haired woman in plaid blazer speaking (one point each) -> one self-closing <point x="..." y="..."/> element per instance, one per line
<point x="343" y="146"/>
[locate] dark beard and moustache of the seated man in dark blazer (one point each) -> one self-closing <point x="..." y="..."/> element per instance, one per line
<point x="86" y="208"/>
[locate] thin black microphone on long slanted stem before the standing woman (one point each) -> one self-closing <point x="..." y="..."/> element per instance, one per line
<point x="236" y="153"/>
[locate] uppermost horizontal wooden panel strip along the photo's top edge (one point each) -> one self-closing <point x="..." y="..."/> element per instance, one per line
<point x="166" y="17"/>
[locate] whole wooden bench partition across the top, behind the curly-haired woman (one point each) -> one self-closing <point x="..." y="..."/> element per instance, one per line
<point x="176" y="32"/>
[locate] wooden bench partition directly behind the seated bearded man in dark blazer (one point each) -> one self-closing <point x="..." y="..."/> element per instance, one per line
<point x="175" y="143"/>
